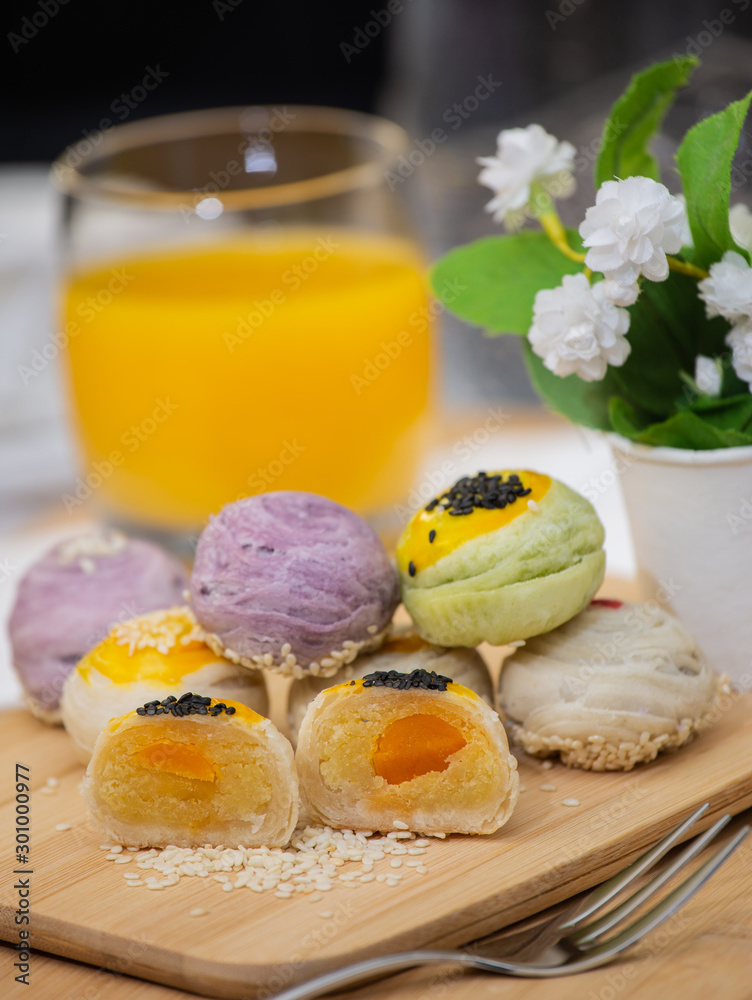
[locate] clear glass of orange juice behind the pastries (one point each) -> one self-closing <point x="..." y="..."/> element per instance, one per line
<point x="245" y="310"/>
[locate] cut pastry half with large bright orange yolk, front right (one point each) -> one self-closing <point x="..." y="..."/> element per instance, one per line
<point x="407" y="751"/>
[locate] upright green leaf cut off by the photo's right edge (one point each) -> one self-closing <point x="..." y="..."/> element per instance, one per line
<point x="704" y="158"/>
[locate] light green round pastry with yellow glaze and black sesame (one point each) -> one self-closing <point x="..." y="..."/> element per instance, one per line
<point x="500" y="557"/>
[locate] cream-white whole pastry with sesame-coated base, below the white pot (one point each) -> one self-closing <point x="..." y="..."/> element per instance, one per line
<point x="609" y="689"/>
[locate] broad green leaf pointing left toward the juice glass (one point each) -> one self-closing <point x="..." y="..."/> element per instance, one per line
<point x="493" y="282"/>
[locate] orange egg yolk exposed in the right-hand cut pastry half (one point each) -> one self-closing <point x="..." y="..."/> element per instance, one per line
<point x="415" y="745"/>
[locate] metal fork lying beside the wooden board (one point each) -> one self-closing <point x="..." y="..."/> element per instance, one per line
<point x="579" y="945"/>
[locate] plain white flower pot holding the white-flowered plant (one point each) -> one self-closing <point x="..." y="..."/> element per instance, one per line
<point x="691" y="518"/>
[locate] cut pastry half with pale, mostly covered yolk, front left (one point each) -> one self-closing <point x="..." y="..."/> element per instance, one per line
<point x="192" y="771"/>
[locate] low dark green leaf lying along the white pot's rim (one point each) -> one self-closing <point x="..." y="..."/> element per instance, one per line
<point x="682" y="430"/>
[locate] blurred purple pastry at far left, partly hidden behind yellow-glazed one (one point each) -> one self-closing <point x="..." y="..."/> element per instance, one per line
<point x="68" y="601"/>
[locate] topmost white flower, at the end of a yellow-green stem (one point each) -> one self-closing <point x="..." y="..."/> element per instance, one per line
<point x="525" y="156"/>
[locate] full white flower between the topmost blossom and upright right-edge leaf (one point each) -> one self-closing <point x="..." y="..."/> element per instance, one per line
<point x="630" y="229"/>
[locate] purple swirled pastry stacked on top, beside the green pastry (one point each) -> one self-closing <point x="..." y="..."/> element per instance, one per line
<point x="292" y="582"/>
